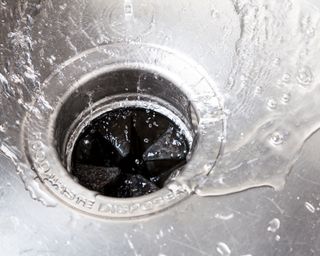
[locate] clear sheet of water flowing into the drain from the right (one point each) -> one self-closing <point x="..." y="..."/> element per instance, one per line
<point x="272" y="96"/>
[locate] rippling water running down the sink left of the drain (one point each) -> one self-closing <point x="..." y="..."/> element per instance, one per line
<point x="19" y="85"/>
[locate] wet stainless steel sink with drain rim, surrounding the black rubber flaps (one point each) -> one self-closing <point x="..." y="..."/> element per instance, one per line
<point x="239" y="79"/>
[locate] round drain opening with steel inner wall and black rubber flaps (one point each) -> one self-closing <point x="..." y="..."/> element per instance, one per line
<point x="125" y="133"/>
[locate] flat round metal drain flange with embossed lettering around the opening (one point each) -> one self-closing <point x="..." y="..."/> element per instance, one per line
<point x="38" y="134"/>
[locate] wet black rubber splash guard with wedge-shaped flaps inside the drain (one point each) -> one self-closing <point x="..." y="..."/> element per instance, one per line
<point x="128" y="152"/>
